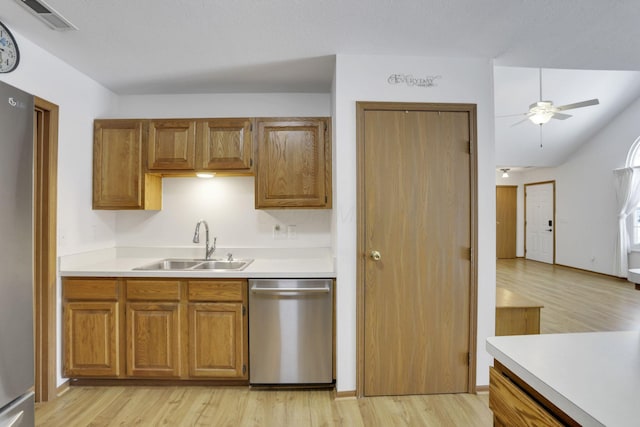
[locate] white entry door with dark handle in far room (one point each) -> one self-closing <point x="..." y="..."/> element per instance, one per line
<point x="540" y="222"/>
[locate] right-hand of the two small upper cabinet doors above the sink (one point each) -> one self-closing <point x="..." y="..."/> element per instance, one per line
<point x="224" y="145"/>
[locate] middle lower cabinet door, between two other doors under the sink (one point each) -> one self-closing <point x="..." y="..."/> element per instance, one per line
<point x="153" y="339"/>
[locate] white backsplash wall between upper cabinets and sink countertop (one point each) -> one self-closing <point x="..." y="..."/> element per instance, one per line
<point x="227" y="204"/>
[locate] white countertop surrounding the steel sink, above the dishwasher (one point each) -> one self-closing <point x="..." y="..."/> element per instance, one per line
<point x="268" y="263"/>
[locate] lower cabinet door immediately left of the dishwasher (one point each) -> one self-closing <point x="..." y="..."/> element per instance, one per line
<point x="217" y="341"/>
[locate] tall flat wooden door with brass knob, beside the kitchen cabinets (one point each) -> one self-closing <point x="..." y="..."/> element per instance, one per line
<point x="418" y="219"/>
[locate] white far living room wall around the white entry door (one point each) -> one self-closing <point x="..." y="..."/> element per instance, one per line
<point x="586" y="220"/>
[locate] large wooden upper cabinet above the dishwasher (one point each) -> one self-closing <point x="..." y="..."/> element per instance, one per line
<point x="293" y="163"/>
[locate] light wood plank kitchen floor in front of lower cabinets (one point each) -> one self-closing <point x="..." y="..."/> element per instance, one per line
<point x="240" y="406"/>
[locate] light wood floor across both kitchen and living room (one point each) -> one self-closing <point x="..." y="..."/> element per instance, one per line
<point x="574" y="301"/>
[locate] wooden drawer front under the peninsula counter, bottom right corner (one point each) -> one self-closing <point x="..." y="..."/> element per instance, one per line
<point x="511" y="406"/>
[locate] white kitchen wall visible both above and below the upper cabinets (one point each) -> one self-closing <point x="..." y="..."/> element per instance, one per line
<point x="226" y="203"/>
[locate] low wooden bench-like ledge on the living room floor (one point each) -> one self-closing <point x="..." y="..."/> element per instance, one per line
<point x="515" y="314"/>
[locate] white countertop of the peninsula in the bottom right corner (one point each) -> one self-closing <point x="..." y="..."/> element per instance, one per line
<point x="593" y="377"/>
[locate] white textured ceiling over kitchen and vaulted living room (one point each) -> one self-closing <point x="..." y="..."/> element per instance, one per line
<point x="213" y="46"/>
